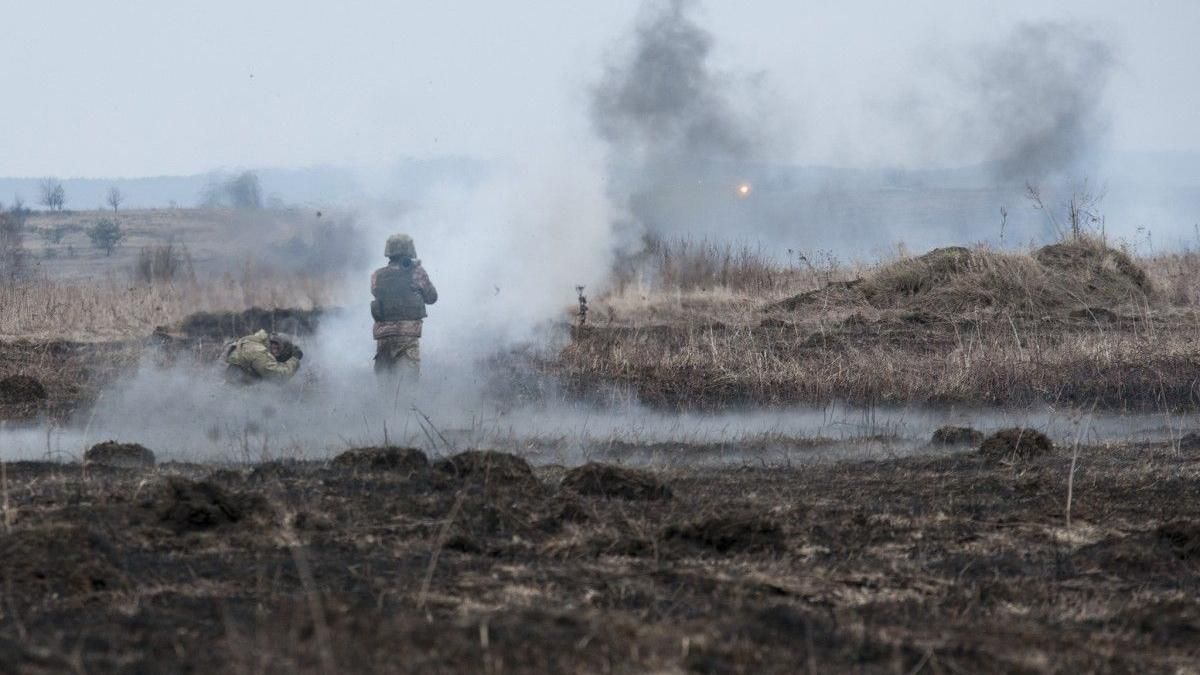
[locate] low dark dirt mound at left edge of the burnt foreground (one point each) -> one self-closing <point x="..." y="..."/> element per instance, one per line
<point x="59" y="561"/>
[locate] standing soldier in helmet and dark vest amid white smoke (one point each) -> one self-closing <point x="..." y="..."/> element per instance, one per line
<point x="401" y="292"/>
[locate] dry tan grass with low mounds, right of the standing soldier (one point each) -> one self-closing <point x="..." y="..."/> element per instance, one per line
<point x="1075" y="324"/>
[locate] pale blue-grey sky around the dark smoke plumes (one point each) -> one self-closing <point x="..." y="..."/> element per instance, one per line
<point x="145" y="88"/>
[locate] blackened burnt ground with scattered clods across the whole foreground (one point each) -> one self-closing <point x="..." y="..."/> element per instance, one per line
<point x="479" y="565"/>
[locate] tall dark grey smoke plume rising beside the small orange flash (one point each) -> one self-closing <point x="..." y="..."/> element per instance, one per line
<point x="679" y="144"/>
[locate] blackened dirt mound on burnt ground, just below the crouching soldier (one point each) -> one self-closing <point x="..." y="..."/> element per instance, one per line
<point x="189" y="506"/>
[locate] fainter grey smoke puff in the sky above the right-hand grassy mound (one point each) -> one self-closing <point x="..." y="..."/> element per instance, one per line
<point x="1039" y="101"/>
